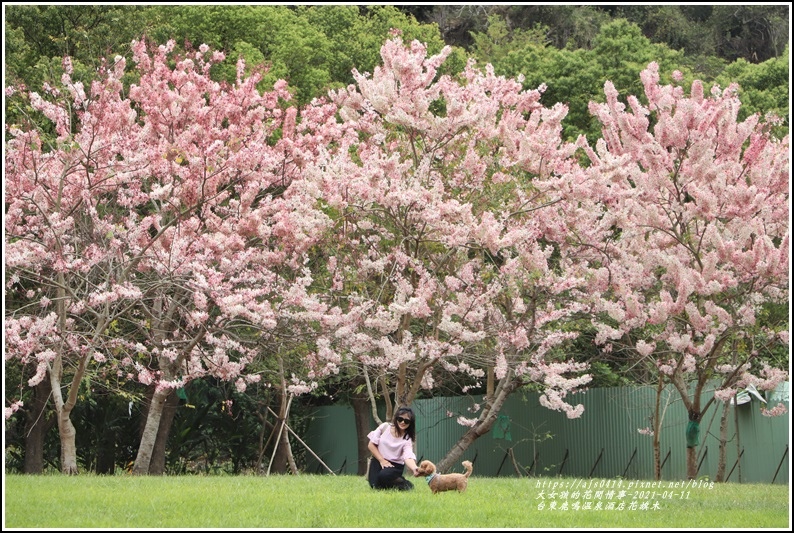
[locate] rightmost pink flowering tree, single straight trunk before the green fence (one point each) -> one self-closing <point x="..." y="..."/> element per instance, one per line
<point x="697" y="214"/>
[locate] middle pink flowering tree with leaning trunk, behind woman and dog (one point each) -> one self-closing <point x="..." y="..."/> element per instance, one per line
<point x="452" y="204"/>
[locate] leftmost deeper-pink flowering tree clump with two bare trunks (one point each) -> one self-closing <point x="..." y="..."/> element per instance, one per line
<point x="157" y="233"/>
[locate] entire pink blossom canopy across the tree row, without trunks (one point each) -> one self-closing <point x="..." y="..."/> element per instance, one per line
<point x="412" y="226"/>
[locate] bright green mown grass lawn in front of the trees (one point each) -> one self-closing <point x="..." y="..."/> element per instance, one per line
<point x="314" y="502"/>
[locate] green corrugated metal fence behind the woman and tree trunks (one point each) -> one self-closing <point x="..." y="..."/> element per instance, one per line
<point x="529" y="439"/>
